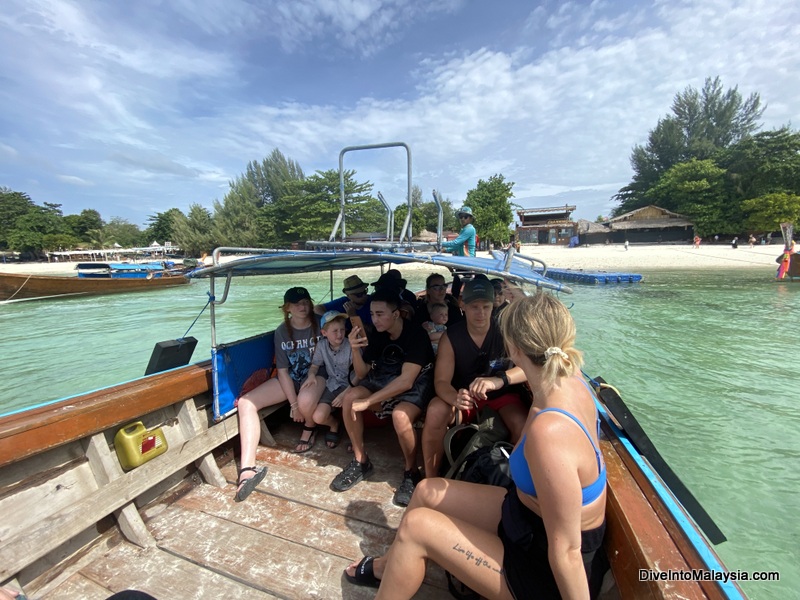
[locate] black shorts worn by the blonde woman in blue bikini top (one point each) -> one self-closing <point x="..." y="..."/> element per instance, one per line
<point x="526" y="566"/>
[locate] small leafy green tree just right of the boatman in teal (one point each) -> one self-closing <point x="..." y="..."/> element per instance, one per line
<point x="490" y="202"/>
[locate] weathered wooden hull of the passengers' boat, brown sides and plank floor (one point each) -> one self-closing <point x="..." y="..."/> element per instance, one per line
<point x="66" y="504"/>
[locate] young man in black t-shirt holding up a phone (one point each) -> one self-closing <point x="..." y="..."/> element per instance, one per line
<point x="395" y="376"/>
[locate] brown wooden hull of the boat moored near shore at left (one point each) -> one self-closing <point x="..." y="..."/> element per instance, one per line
<point x="16" y="286"/>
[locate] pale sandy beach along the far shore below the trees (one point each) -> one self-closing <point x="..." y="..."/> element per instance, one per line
<point x="592" y="258"/>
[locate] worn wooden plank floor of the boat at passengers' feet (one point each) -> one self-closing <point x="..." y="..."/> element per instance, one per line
<point x="292" y="538"/>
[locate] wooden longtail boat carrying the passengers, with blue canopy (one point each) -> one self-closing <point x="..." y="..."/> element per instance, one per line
<point x="131" y="486"/>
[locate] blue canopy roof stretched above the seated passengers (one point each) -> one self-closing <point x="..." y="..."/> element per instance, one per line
<point x="304" y="261"/>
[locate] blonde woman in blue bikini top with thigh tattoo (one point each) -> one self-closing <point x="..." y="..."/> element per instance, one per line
<point x="541" y="538"/>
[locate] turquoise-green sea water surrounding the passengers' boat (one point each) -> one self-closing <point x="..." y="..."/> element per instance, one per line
<point x="704" y="359"/>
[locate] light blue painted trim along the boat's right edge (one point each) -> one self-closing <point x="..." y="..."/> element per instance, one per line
<point x="709" y="558"/>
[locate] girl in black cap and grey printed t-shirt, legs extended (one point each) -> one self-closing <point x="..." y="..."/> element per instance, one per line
<point x="295" y="340"/>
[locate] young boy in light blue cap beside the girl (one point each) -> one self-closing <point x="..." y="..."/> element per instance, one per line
<point x="336" y="355"/>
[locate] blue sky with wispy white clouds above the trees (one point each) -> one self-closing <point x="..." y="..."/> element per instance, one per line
<point x="133" y="108"/>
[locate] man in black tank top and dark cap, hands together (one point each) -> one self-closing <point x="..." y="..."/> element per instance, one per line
<point x="472" y="372"/>
